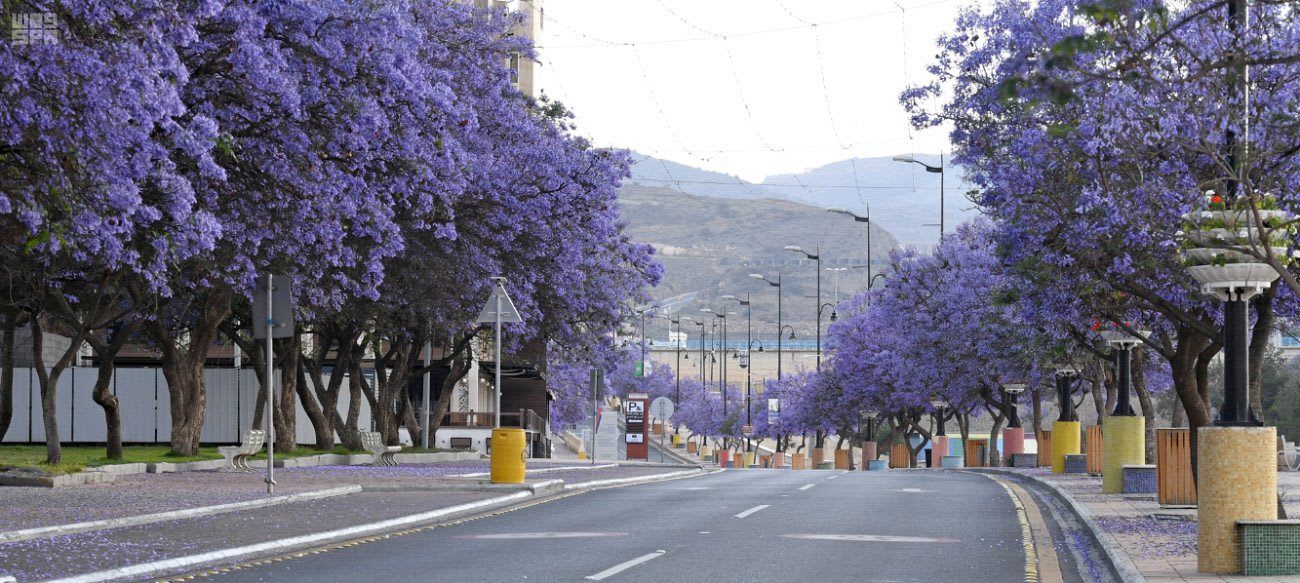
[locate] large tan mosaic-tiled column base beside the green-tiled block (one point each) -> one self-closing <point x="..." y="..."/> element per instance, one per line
<point x="1237" y="481"/>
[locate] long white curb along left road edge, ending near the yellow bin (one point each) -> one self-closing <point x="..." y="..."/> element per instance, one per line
<point x="284" y="546"/>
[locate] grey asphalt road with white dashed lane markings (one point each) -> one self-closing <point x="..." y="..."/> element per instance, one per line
<point x="734" y="526"/>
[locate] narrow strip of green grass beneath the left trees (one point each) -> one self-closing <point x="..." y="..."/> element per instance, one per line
<point x="80" y="457"/>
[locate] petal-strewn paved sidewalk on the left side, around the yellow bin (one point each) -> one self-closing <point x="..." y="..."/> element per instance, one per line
<point x="411" y="494"/>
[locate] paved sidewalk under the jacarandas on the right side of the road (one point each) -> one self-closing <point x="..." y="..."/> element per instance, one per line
<point x="1160" y="542"/>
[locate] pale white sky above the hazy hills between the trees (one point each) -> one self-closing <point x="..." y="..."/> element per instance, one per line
<point x="751" y="88"/>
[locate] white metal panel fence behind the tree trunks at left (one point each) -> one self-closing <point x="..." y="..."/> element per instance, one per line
<point x="145" y="404"/>
